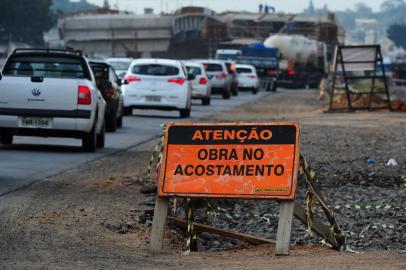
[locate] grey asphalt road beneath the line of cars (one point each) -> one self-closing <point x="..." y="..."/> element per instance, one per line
<point x="30" y="159"/>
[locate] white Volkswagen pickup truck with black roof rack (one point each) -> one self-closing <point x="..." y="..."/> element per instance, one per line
<point x="50" y="93"/>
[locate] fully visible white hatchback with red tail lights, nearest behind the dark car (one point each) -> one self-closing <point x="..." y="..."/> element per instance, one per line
<point x="157" y="84"/>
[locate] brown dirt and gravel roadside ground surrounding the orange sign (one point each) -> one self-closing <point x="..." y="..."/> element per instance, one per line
<point x="89" y="217"/>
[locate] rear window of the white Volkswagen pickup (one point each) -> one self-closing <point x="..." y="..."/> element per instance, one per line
<point x="43" y="66"/>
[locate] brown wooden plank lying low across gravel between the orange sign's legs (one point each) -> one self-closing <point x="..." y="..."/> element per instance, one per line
<point x="210" y="229"/>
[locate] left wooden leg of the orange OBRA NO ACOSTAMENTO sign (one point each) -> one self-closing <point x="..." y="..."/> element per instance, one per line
<point x="158" y="224"/>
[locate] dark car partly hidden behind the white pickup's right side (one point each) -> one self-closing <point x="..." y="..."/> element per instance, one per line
<point x="109" y="86"/>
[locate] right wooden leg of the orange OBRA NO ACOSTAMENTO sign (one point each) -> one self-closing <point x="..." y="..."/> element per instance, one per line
<point x="284" y="227"/>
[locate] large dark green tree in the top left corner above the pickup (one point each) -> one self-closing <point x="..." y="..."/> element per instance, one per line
<point x="25" y="20"/>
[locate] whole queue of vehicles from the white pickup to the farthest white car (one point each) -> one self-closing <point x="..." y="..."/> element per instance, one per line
<point x="61" y="93"/>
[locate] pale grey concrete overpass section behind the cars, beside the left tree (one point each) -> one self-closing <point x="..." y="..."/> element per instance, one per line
<point x="117" y="35"/>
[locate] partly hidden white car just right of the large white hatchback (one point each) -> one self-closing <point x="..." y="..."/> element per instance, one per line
<point x="201" y="87"/>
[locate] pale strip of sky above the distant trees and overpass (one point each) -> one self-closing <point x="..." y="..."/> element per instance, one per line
<point x="236" y="5"/>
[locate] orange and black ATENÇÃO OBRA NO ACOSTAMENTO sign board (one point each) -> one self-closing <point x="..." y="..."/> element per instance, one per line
<point x="230" y="160"/>
